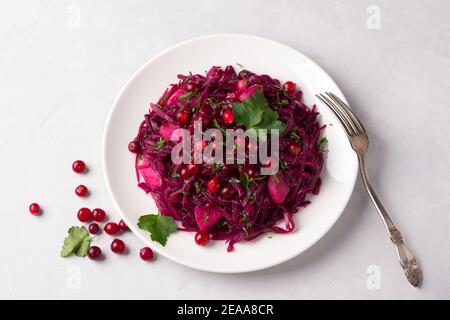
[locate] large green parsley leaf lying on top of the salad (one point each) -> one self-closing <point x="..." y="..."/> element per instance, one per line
<point x="255" y="113"/>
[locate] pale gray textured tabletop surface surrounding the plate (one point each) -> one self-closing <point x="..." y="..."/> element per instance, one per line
<point x="63" y="62"/>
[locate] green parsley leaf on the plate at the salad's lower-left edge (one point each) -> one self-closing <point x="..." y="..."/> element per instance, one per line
<point x="160" y="227"/>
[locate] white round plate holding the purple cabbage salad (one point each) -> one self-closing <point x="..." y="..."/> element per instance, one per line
<point x="261" y="56"/>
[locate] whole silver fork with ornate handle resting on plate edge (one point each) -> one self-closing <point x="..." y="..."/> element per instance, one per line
<point x="359" y="141"/>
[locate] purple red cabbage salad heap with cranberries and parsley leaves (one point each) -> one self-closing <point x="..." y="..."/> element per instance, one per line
<point x="228" y="200"/>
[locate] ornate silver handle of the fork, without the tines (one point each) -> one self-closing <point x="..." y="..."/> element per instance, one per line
<point x="406" y="257"/>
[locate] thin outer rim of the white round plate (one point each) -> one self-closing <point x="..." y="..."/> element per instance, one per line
<point x="107" y="127"/>
